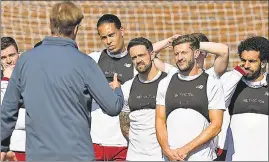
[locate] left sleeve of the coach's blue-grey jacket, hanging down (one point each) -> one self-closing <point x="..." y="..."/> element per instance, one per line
<point x="10" y="109"/>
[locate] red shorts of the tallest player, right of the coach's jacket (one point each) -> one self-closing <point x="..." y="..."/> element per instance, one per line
<point x="109" y="153"/>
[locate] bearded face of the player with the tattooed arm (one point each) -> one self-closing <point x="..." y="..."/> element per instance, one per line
<point x="141" y="58"/>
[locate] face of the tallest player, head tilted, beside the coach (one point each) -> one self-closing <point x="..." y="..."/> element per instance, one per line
<point x="111" y="37"/>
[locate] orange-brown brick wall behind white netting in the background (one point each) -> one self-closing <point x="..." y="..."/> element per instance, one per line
<point x="228" y="22"/>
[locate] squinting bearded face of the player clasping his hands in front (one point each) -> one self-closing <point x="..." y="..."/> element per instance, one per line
<point x="184" y="56"/>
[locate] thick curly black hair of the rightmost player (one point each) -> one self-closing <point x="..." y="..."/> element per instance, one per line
<point x="256" y="43"/>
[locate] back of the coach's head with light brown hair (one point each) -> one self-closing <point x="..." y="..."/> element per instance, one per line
<point x="65" y="18"/>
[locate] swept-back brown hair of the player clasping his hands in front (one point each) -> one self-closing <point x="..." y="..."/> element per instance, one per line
<point x="194" y="43"/>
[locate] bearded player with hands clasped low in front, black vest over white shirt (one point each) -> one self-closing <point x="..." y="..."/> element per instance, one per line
<point x="190" y="105"/>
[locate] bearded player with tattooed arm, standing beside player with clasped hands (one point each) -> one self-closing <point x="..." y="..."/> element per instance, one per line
<point x="138" y="114"/>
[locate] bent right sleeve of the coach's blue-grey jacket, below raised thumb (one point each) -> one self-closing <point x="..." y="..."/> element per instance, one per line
<point x="110" y="102"/>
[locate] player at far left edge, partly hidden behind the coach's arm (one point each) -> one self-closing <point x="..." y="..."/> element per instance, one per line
<point x="9" y="57"/>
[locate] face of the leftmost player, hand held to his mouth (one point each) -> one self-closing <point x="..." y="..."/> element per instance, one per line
<point x="9" y="56"/>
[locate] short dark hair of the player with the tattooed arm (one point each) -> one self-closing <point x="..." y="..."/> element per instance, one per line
<point x="140" y="41"/>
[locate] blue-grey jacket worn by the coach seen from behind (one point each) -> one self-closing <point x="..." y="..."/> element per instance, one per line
<point x="57" y="83"/>
